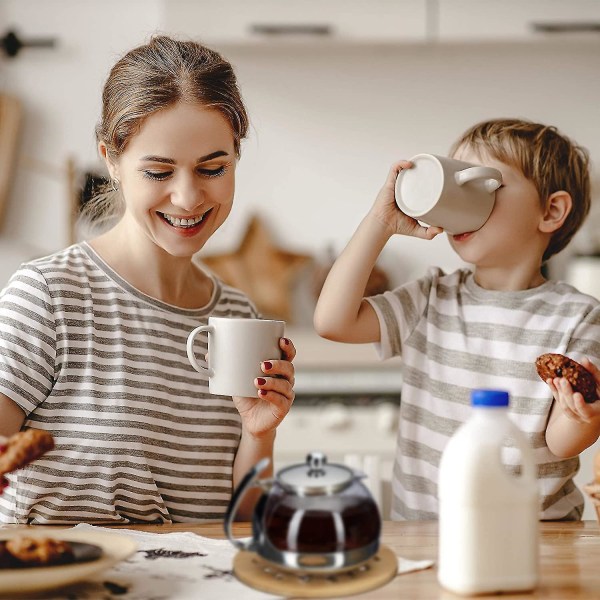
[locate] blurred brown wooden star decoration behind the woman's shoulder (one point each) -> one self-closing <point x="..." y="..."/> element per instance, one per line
<point x="265" y="272"/>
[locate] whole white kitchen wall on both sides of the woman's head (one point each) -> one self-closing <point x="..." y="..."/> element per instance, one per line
<point x="327" y="122"/>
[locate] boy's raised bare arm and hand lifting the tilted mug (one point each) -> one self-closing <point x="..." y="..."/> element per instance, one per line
<point x="342" y="314"/>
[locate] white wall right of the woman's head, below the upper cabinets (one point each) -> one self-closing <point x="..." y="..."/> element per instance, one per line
<point x="328" y="124"/>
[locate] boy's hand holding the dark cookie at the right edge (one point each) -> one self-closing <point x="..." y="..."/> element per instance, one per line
<point x="574" y="425"/>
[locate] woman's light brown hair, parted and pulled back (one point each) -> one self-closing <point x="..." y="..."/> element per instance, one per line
<point x="153" y="77"/>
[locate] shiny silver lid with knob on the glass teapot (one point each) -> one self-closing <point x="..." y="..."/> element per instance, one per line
<point x="316" y="477"/>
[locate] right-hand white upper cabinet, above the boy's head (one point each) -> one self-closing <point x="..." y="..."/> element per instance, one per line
<point x="516" y="20"/>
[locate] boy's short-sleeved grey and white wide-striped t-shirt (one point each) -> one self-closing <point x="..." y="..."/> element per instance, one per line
<point x="455" y="336"/>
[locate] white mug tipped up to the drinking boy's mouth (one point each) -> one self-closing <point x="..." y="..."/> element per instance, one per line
<point x="447" y="193"/>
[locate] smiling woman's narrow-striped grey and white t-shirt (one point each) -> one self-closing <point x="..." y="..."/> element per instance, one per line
<point x="104" y="368"/>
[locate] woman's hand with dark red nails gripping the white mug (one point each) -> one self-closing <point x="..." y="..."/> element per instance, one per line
<point x="260" y="417"/>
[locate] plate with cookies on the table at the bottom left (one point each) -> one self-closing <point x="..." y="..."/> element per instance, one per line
<point x="37" y="560"/>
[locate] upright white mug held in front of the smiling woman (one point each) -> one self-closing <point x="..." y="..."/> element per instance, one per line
<point x="236" y="349"/>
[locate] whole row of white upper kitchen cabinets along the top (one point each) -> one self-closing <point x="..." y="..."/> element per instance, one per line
<point x="260" y="22"/>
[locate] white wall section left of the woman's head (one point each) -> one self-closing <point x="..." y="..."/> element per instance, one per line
<point x="60" y="89"/>
